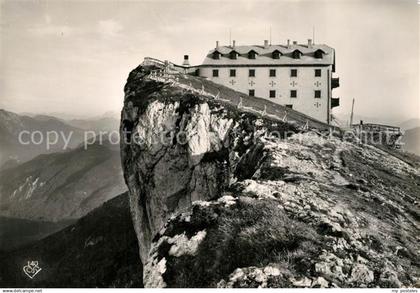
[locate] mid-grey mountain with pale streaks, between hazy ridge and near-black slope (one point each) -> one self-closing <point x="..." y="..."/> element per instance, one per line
<point x="61" y="186"/>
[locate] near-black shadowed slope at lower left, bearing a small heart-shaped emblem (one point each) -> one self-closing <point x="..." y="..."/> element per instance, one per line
<point x="99" y="250"/>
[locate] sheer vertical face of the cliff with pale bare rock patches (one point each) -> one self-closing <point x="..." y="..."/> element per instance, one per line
<point x="177" y="148"/>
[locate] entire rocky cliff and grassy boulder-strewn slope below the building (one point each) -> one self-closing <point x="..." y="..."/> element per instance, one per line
<point x="222" y="196"/>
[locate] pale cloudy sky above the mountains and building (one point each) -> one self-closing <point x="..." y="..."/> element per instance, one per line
<point x="73" y="57"/>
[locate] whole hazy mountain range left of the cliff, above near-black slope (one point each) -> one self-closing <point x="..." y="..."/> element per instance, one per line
<point x="43" y="190"/>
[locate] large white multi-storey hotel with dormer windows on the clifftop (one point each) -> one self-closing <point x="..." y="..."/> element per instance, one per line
<point x="295" y="75"/>
